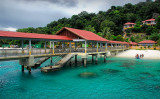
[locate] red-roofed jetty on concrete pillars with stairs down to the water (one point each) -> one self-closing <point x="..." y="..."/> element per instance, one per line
<point x="65" y="44"/>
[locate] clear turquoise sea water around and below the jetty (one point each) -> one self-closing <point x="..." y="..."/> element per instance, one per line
<point x="118" y="78"/>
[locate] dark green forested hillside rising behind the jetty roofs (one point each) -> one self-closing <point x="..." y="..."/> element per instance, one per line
<point x="104" y="23"/>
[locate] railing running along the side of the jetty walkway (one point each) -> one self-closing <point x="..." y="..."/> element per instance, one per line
<point x="38" y="51"/>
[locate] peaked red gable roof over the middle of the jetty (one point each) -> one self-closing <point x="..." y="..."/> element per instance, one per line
<point x="87" y="35"/>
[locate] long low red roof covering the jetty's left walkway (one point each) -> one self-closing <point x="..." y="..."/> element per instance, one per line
<point x="8" y="34"/>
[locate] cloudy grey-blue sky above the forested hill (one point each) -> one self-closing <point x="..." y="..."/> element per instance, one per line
<point x="16" y="14"/>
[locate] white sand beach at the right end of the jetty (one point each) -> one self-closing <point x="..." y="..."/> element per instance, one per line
<point x="148" y="54"/>
